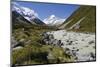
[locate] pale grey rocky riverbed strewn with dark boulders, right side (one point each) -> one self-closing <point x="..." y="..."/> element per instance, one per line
<point x="79" y="45"/>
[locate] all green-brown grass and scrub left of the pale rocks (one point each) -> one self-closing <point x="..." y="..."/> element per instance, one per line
<point x="35" y="52"/>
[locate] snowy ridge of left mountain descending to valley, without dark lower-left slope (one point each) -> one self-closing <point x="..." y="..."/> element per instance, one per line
<point x="27" y="13"/>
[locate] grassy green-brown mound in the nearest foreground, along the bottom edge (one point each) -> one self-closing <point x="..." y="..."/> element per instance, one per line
<point x="38" y="55"/>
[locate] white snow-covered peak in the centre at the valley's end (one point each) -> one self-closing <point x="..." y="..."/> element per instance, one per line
<point x="53" y="20"/>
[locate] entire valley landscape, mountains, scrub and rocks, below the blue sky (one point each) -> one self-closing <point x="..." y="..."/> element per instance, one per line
<point x="53" y="40"/>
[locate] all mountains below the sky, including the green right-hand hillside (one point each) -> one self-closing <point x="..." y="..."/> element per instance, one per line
<point x="83" y="19"/>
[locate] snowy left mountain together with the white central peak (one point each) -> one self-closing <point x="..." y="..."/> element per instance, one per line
<point x="25" y="15"/>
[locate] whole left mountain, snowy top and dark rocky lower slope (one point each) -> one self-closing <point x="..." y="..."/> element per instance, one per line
<point x="24" y="15"/>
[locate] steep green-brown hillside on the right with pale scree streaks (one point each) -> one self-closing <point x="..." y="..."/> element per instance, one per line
<point x="82" y="20"/>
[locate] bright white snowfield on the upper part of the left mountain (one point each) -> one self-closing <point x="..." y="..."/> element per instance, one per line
<point x="26" y="12"/>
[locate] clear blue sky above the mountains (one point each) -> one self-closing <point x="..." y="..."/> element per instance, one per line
<point x="45" y="10"/>
